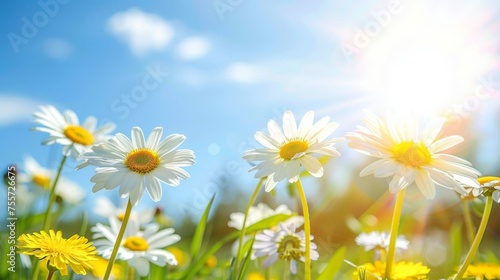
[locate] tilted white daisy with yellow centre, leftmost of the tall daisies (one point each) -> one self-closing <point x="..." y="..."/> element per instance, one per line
<point x="67" y="131"/>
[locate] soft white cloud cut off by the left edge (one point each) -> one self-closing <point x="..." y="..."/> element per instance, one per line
<point x="16" y="109"/>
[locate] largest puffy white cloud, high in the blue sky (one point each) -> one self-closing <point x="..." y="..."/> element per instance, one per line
<point x="143" y="32"/>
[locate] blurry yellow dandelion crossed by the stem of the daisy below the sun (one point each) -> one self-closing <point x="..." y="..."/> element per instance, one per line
<point x="400" y="271"/>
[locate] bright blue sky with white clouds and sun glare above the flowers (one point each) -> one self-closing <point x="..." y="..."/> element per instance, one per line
<point x="224" y="68"/>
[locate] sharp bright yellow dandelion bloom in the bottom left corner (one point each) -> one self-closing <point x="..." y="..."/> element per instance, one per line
<point x="76" y="251"/>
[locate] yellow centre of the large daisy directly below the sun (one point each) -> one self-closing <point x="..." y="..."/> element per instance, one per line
<point x="411" y="154"/>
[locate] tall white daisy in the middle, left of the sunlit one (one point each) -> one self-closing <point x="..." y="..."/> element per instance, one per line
<point x="287" y="149"/>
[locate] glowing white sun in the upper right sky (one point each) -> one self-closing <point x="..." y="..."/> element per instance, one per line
<point x="423" y="65"/>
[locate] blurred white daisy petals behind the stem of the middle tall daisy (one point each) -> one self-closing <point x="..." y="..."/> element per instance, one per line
<point x="261" y="212"/>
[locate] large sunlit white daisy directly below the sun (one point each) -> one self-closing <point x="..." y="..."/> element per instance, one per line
<point x="409" y="157"/>
